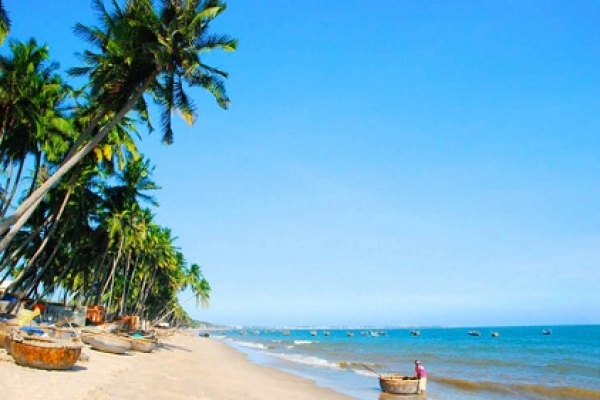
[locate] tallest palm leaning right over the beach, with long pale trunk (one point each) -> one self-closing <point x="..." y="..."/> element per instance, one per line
<point x="140" y="50"/>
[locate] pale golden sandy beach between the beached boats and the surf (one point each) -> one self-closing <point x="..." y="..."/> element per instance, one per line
<point x="184" y="367"/>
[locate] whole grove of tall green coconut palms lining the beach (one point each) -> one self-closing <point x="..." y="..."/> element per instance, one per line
<point x="75" y="193"/>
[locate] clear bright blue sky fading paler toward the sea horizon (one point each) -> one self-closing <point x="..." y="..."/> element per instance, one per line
<point x="386" y="163"/>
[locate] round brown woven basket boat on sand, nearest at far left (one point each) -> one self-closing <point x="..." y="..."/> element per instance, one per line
<point x="44" y="353"/>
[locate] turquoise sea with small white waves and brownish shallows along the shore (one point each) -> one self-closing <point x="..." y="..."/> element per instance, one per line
<point x="521" y="363"/>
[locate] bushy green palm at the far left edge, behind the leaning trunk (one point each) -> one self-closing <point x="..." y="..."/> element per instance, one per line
<point x="30" y="116"/>
